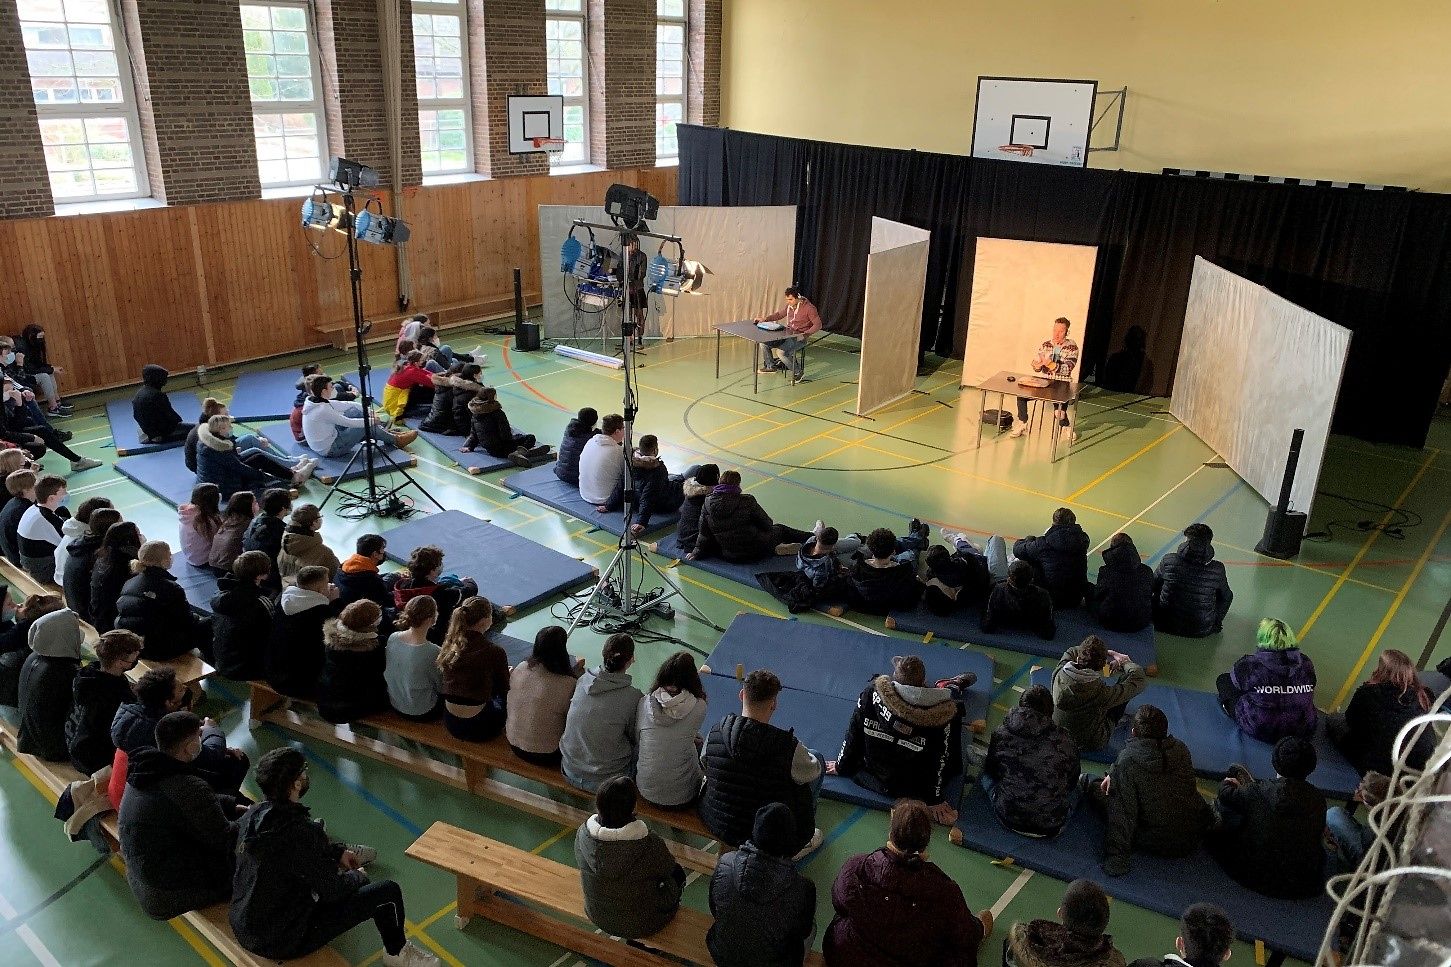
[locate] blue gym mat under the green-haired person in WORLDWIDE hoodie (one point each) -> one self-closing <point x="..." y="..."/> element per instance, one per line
<point x="1217" y="743"/>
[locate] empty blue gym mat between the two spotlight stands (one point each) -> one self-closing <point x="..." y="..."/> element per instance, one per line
<point x="511" y="570"/>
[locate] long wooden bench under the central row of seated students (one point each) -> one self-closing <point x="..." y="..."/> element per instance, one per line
<point x="480" y="760"/>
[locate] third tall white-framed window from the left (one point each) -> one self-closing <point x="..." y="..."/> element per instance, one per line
<point x="440" y="53"/>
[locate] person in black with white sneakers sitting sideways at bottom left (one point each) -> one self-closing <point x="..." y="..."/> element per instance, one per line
<point x="295" y="889"/>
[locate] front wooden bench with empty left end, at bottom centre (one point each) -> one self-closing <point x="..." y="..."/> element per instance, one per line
<point x="507" y="885"/>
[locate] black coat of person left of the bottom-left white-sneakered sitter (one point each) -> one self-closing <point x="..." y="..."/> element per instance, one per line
<point x="175" y="837"/>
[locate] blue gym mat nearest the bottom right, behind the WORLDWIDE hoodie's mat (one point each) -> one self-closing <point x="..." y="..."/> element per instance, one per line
<point x="1156" y="884"/>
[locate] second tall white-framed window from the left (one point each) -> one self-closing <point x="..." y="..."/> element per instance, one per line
<point x="287" y="85"/>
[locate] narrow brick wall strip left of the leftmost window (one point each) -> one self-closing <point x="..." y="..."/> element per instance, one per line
<point x="25" y="191"/>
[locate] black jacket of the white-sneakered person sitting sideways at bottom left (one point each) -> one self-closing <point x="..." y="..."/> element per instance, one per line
<point x="287" y="866"/>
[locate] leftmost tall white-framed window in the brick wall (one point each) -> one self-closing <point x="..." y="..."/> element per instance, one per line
<point x="85" y="99"/>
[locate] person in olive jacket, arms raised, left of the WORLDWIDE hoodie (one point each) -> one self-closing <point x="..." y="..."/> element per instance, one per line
<point x="1086" y="703"/>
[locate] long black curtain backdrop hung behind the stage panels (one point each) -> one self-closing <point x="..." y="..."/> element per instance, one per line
<point x="1378" y="264"/>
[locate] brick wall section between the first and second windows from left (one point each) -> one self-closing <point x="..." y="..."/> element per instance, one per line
<point x="197" y="114"/>
